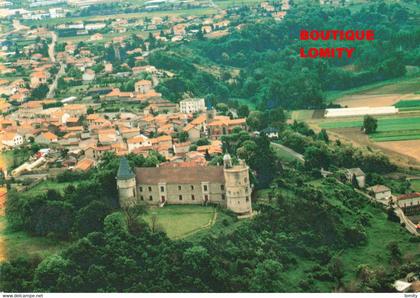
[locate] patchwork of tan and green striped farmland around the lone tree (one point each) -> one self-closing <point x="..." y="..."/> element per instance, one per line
<point x="398" y="136"/>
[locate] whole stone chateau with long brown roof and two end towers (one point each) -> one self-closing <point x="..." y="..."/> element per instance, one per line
<point x="226" y="185"/>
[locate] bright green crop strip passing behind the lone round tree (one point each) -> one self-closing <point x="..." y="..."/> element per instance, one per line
<point x="389" y="128"/>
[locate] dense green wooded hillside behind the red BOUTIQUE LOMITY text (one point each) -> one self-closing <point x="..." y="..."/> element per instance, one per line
<point x="261" y="63"/>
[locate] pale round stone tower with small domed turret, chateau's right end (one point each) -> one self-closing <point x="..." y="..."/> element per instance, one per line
<point x="238" y="188"/>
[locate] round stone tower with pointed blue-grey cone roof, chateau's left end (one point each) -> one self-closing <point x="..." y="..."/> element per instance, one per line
<point x="126" y="184"/>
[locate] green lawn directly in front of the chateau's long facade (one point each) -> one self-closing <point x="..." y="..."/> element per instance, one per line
<point x="181" y="221"/>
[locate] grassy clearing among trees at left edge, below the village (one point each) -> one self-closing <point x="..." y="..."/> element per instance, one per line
<point x="15" y="244"/>
